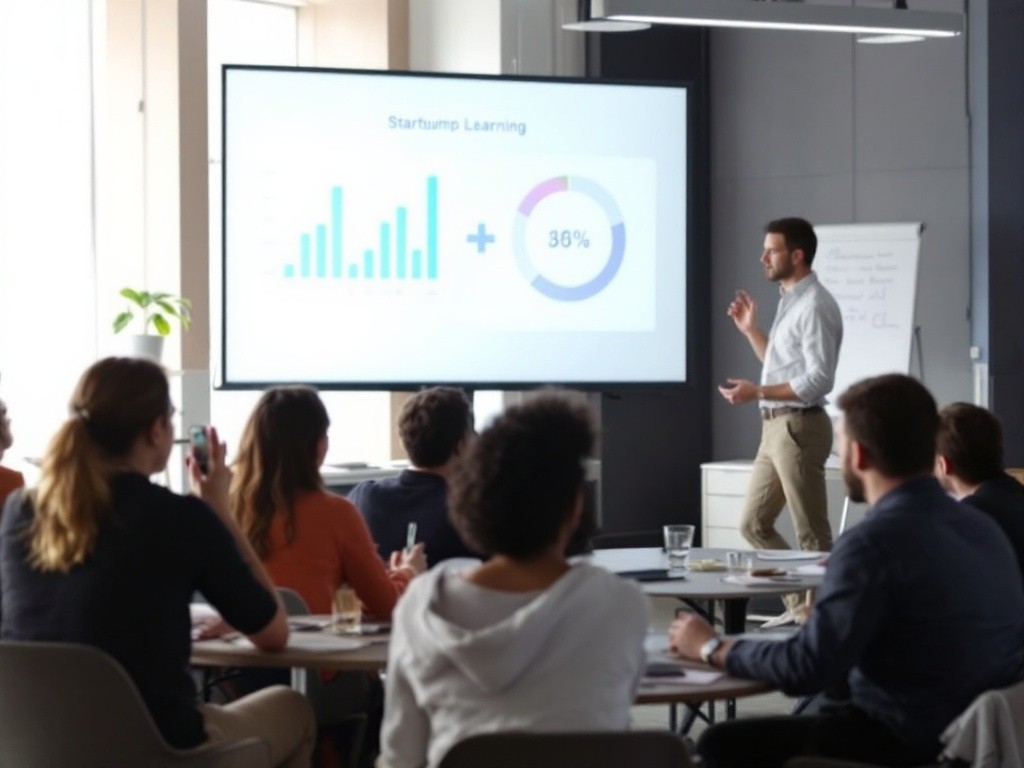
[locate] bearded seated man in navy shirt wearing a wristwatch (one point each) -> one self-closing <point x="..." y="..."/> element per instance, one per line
<point x="922" y="607"/>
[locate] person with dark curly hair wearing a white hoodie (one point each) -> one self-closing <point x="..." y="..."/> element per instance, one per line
<point x="526" y="642"/>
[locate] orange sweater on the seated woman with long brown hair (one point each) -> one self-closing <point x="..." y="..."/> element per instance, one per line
<point x="332" y="546"/>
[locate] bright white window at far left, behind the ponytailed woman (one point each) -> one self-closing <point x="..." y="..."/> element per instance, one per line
<point x="48" y="307"/>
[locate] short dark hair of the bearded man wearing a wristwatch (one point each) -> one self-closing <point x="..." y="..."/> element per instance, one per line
<point x="895" y="419"/>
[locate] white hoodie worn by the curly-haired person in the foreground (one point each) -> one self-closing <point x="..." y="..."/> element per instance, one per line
<point x="465" y="660"/>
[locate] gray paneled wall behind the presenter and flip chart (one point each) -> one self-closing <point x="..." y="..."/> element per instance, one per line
<point x="819" y="126"/>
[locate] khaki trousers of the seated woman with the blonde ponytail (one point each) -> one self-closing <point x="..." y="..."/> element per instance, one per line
<point x="280" y="716"/>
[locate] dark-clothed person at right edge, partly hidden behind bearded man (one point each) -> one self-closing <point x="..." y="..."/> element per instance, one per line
<point x="970" y="467"/>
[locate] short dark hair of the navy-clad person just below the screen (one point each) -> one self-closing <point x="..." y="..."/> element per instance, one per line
<point x="432" y="424"/>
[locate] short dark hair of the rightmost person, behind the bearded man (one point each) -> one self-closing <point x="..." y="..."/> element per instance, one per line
<point x="971" y="439"/>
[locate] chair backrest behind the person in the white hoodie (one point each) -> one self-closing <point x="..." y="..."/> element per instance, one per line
<point x="619" y="750"/>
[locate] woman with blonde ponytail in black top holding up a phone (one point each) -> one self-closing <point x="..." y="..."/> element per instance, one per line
<point x="97" y="554"/>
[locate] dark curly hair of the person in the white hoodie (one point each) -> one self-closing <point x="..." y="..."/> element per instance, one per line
<point x="520" y="481"/>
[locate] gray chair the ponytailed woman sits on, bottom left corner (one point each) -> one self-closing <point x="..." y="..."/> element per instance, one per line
<point x="65" y="705"/>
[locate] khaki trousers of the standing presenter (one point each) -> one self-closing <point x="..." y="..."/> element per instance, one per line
<point x="790" y="471"/>
